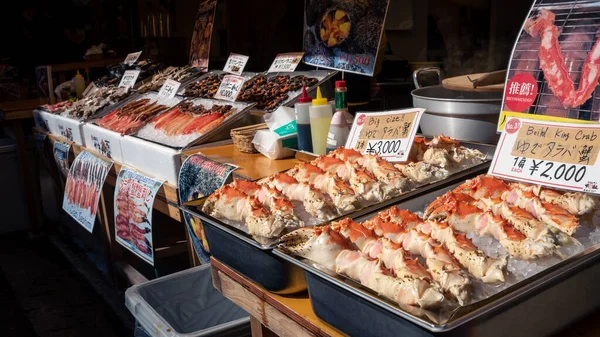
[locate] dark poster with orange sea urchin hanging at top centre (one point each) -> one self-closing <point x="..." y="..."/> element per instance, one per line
<point x="343" y="34"/>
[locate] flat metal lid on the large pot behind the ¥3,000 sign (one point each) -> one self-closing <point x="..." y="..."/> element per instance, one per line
<point x="439" y="93"/>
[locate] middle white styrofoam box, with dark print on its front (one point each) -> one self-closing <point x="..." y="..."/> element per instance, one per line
<point x="103" y="141"/>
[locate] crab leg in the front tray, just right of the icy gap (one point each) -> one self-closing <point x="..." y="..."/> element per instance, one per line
<point x="460" y="211"/>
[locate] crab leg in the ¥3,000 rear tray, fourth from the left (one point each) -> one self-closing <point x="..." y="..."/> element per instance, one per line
<point x="341" y="194"/>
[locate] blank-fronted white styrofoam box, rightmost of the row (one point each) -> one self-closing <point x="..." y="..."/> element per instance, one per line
<point x="153" y="159"/>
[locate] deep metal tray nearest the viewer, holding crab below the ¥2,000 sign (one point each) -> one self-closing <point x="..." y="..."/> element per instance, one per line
<point x="514" y="311"/>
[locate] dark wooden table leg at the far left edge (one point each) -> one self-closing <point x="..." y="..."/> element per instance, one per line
<point x="32" y="191"/>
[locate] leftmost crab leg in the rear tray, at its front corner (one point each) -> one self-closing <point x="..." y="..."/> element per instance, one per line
<point x="232" y="204"/>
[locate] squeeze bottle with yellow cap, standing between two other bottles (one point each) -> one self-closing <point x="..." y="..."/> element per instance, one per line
<point x="320" y="120"/>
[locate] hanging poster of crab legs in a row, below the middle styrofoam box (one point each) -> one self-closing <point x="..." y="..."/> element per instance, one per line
<point x="82" y="190"/>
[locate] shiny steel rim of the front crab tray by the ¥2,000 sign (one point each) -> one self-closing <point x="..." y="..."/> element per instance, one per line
<point x="493" y="304"/>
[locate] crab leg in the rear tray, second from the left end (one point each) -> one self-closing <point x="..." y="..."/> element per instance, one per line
<point x="280" y="206"/>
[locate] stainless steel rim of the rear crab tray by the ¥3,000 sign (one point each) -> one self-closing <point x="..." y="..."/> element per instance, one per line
<point x="267" y="244"/>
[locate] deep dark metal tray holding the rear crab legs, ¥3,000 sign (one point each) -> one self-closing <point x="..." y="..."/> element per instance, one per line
<point x="250" y="254"/>
